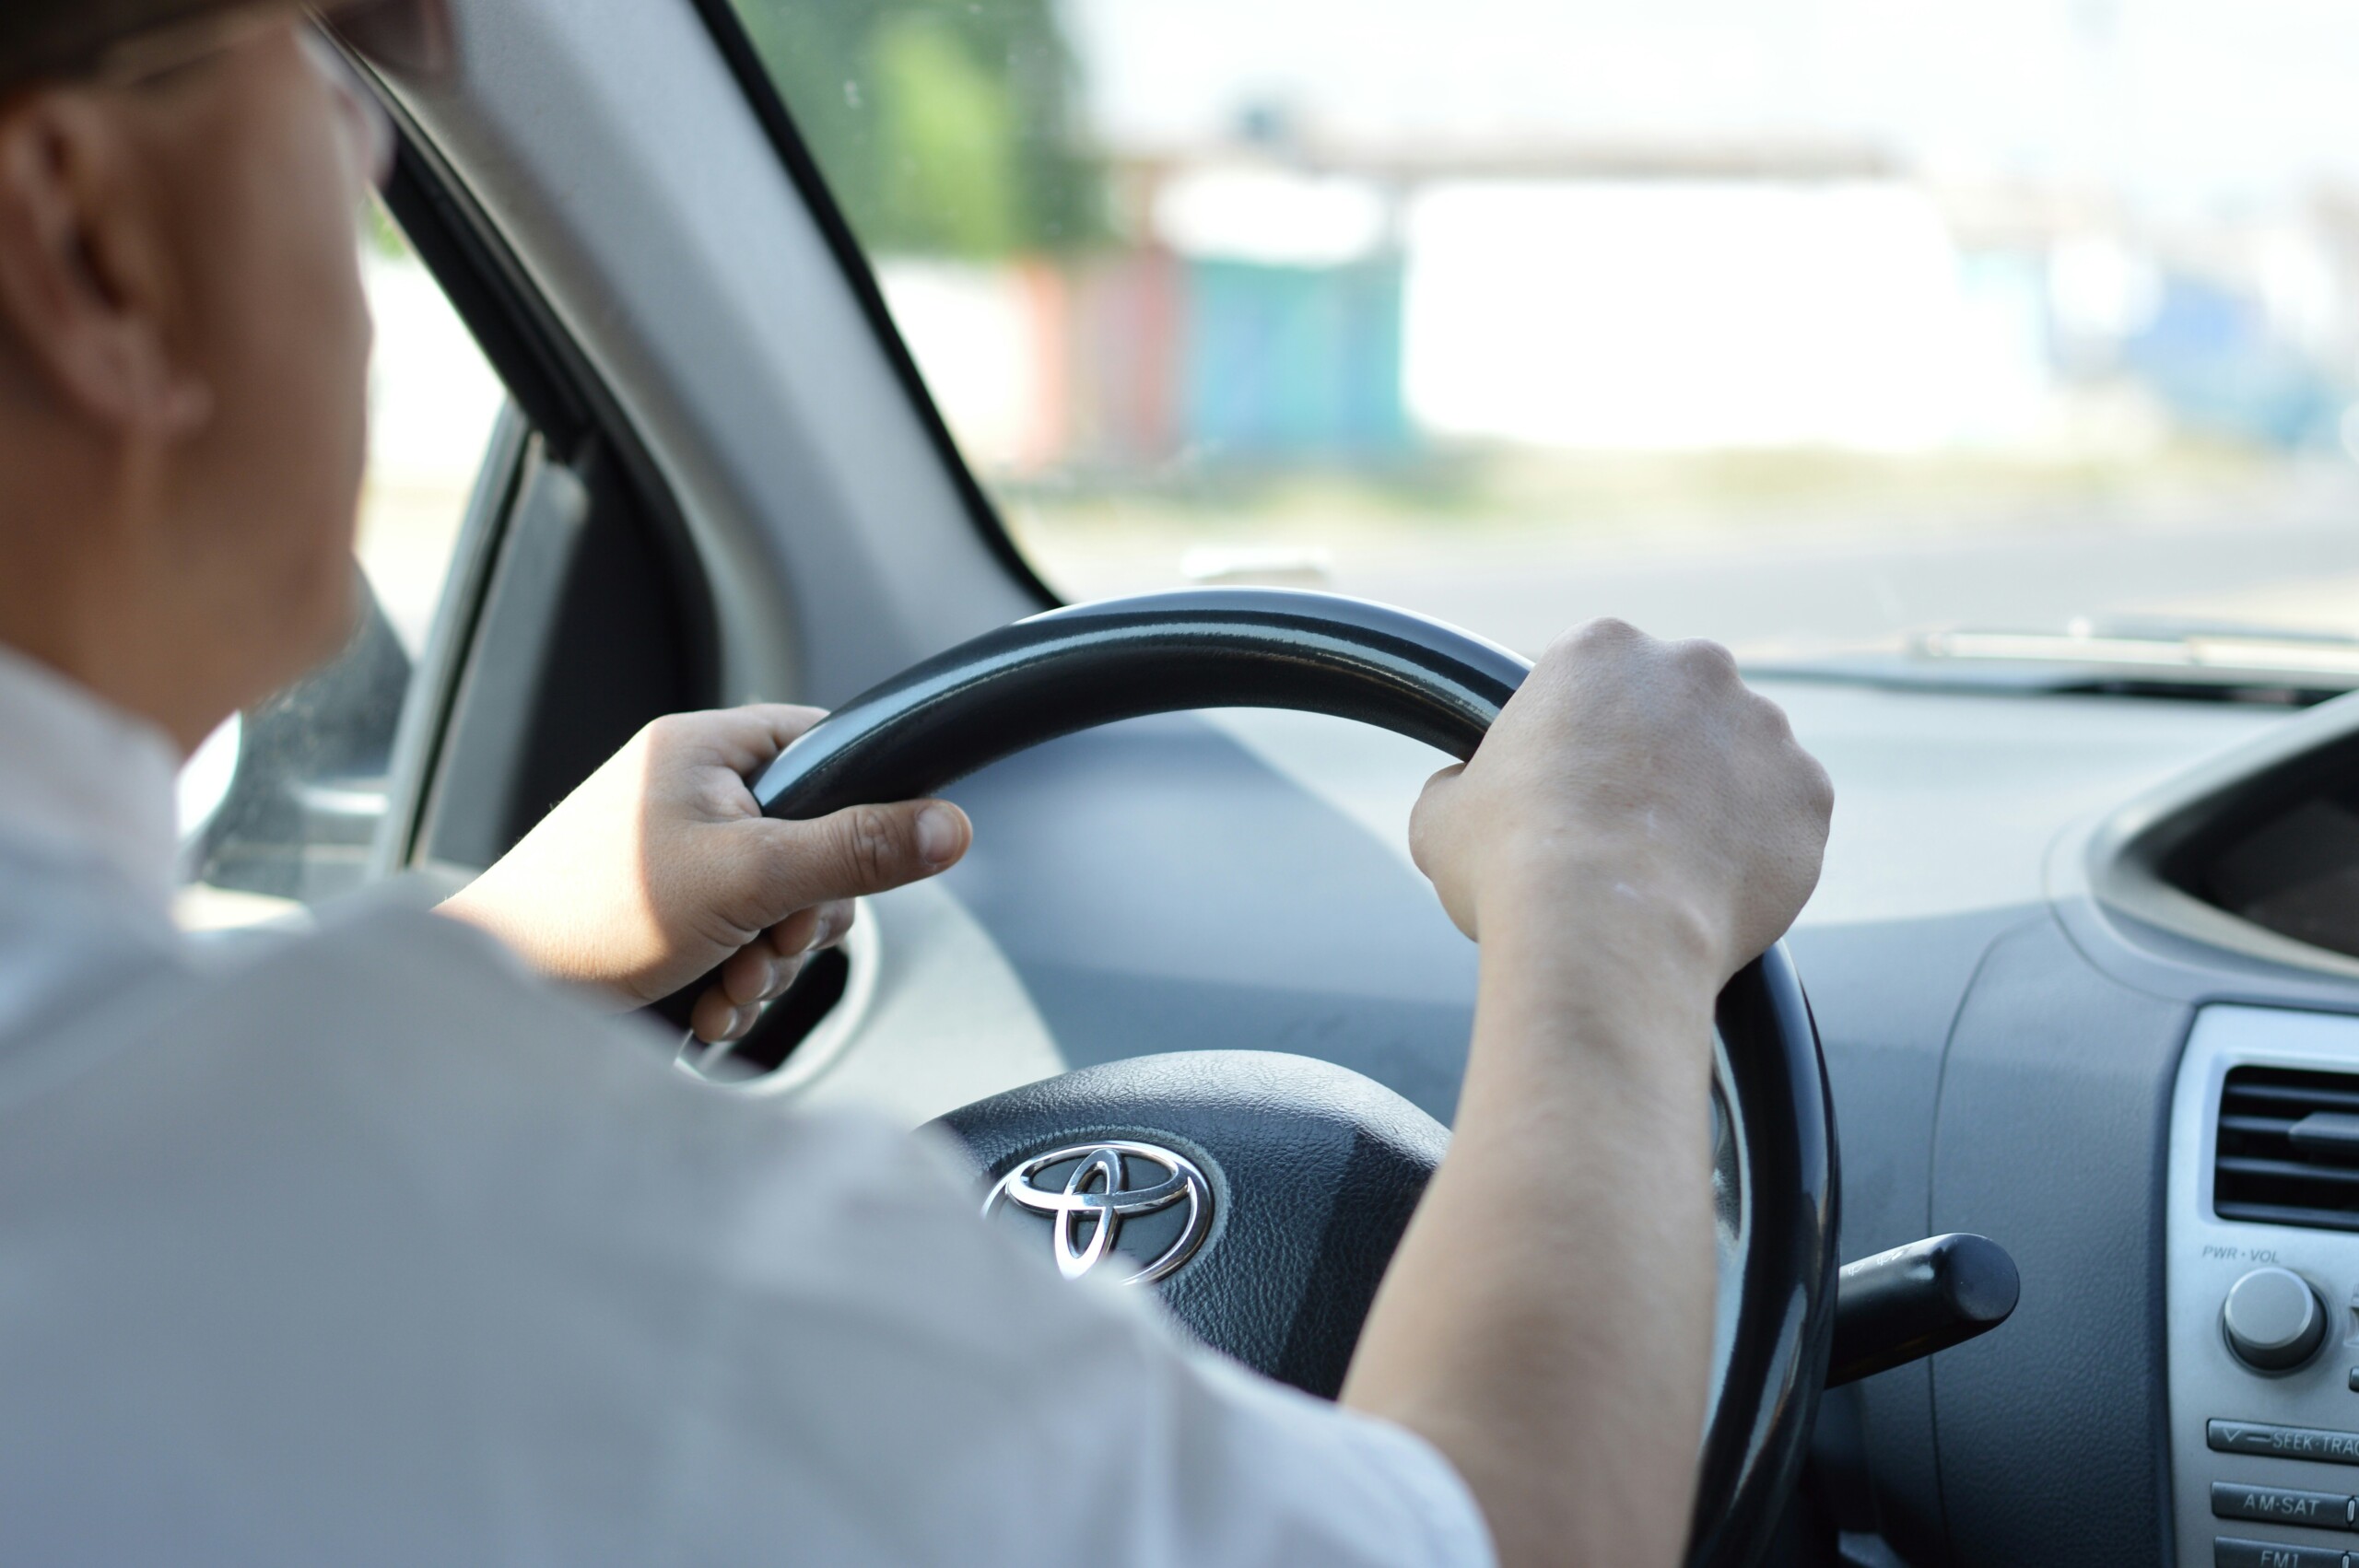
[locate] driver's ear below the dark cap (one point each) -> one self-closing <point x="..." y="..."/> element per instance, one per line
<point x="84" y="268"/>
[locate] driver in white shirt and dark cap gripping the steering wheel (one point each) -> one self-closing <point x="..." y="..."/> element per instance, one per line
<point x="379" y="1246"/>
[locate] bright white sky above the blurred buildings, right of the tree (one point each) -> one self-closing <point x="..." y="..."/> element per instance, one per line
<point x="2186" y="103"/>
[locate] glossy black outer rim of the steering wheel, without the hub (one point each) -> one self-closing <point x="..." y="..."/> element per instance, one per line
<point x="1086" y="666"/>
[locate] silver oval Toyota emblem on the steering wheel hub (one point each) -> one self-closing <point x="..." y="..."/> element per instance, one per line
<point x="1108" y="1187"/>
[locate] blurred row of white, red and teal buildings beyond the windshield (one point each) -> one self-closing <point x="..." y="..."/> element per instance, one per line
<point x="1270" y="305"/>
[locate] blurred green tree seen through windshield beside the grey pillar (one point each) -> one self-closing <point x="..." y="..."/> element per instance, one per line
<point x="942" y="126"/>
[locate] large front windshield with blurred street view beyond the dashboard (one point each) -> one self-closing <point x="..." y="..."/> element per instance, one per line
<point x="1801" y="324"/>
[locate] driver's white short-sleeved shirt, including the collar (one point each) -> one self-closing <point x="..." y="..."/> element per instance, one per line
<point x="376" y="1253"/>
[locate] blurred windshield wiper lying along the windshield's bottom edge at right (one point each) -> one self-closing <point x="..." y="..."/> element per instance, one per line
<point x="2153" y="659"/>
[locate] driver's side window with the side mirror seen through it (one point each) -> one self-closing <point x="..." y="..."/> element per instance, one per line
<point x="289" y="803"/>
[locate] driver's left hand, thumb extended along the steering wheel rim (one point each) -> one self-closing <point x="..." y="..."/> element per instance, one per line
<point x="664" y="869"/>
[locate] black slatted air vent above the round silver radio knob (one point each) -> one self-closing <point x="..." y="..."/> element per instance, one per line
<point x="2289" y="1149"/>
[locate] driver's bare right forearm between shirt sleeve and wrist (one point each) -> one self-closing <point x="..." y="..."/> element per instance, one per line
<point x="1539" y="1326"/>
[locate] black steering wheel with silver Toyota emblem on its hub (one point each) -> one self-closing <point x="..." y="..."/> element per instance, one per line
<point x="1263" y="1194"/>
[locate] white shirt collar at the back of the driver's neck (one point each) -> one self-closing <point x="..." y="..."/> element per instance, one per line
<point x="86" y="779"/>
